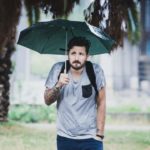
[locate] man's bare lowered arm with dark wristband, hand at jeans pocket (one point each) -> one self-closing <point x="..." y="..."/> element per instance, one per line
<point x="101" y="112"/>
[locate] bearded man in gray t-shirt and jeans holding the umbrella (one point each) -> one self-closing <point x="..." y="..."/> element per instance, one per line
<point x="80" y="111"/>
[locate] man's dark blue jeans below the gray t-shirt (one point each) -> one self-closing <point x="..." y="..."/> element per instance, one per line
<point x="64" y="143"/>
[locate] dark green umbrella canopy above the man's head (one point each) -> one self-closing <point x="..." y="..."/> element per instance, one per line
<point x="52" y="37"/>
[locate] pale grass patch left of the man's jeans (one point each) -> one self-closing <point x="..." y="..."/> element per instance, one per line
<point x="18" y="137"/>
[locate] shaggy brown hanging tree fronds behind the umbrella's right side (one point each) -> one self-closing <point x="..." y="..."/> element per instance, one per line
<point x="121" y="18"/>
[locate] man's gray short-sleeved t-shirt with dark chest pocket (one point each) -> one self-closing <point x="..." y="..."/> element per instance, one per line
<point x="76" y="108"/>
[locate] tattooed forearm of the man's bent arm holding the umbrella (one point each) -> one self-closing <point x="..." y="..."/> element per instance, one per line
<point x="51" y="95"/>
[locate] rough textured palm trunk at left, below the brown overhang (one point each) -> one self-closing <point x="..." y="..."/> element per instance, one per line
<point x="5" y="71"/>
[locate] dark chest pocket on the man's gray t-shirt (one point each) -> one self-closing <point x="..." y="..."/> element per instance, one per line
<point x="86" y="90"/>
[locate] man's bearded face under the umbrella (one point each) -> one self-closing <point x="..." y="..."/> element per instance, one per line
<point x="77" y="57"/>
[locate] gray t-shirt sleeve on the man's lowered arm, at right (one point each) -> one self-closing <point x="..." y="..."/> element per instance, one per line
<point x="100" y="77"/>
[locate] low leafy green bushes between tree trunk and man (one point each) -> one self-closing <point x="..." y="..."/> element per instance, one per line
<point x="32" y="113"/>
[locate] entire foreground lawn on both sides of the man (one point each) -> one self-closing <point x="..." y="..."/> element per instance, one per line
<point x="15" y="136"/>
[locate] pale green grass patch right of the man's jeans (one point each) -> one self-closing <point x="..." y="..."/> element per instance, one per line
<point x="127" y="140"/>
